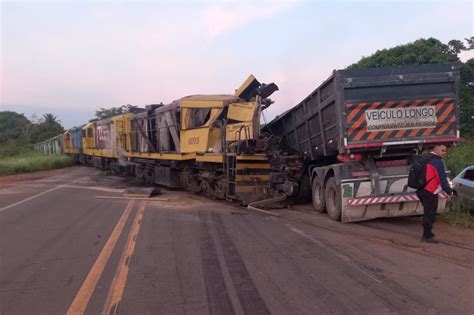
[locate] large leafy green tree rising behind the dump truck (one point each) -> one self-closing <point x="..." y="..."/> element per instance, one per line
<point x="431" y="50"/>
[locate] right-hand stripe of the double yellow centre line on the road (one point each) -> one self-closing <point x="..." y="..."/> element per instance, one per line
<point x="120" y="278"/>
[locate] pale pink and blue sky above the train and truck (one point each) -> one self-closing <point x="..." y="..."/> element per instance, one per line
<point x="72" y="57"/>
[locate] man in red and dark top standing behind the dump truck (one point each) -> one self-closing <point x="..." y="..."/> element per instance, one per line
<point x="436" y="181"/>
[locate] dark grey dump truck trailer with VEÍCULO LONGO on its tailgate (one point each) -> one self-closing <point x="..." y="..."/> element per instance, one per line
<point x="360" y="130"/>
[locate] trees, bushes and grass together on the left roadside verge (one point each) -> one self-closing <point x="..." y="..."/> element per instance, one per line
<point x="17" y="134"/>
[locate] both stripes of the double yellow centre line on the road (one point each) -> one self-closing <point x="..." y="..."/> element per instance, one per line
<point x="117" y="287"/>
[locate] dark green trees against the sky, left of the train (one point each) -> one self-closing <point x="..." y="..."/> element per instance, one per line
<point x="18" y="131"/>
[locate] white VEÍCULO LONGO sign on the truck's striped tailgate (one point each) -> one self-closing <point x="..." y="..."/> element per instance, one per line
<point x="401" y="118"/>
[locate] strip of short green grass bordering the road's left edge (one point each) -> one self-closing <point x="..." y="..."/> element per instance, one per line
<point x="32" y="162"/>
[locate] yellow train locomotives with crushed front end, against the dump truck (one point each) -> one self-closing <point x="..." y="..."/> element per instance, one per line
<point x="211" y="144"/>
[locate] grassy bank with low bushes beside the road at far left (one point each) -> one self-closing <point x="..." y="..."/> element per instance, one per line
<point x="16" y="159"/>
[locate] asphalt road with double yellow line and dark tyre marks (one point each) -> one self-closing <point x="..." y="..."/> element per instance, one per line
<point x="66" y="249"/>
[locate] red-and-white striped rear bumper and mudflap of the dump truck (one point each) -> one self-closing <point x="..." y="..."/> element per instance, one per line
<point x="366" y="208"/>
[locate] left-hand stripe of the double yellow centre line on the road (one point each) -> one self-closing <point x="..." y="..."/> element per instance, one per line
<point x="84" y="294"/>
